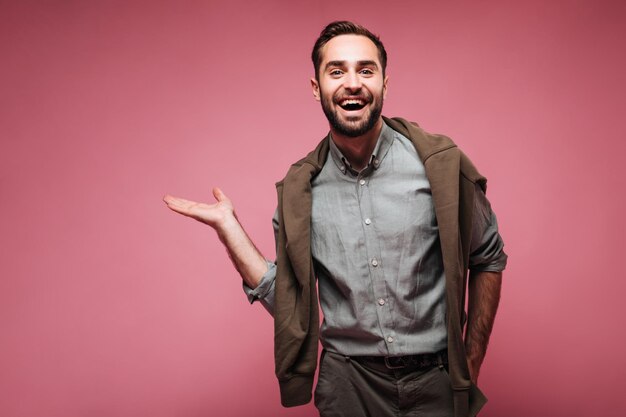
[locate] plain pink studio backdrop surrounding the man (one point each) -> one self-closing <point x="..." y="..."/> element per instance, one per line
<point x="111" y="305"/>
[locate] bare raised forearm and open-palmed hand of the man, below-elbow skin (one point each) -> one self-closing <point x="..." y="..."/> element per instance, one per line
<point x="246" y="258"/>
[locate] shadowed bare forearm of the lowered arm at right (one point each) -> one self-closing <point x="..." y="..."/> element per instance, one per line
<point x="484" y="296"/>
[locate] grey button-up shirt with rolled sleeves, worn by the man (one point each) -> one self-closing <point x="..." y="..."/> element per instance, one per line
<point x="376" y="252"/>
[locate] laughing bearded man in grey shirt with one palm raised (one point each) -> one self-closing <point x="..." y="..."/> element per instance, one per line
<point x="388" y="219"/>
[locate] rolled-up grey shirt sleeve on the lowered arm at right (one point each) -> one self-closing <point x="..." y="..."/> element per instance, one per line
<point x="487" y="248"/>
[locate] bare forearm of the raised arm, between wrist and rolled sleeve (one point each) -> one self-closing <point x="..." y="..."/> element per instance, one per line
<point x="245" y="256"/>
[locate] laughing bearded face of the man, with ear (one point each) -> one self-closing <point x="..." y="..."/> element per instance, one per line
<point x="351" y="85"/>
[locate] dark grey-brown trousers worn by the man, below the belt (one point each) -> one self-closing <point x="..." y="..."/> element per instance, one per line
<point x="350" y="387"/>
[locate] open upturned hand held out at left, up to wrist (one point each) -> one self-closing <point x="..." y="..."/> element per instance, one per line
<point x="215" y="215"/>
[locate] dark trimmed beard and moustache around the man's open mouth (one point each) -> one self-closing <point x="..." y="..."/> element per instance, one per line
<point x="353" y="128"/>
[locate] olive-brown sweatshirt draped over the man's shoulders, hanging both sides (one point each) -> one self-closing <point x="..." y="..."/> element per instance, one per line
<point x="452" y="179"/>
